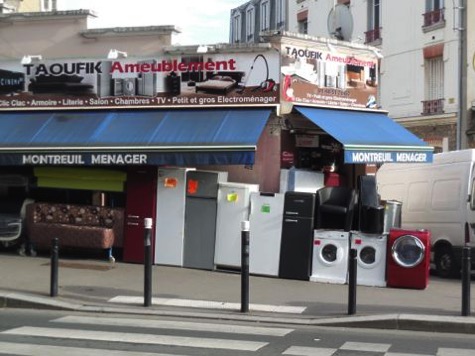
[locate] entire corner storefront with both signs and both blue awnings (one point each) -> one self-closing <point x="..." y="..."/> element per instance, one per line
<point x="223" y="110"/>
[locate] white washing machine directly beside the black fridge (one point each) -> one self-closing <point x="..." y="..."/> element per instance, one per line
<point x="330" y="256"/>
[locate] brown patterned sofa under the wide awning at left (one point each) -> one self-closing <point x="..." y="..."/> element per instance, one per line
<point x="84" y="226"/>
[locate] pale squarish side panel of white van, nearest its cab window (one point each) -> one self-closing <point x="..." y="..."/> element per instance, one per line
<point x="446" y="195"/>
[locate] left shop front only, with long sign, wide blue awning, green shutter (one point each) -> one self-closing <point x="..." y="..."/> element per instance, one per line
<point x="94" y="132"/>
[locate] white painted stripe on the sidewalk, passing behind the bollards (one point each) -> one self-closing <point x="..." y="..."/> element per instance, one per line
<point x="207" y="304"/>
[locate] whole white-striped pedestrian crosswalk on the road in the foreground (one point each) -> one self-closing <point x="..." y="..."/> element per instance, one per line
<point x="75" y="335"/>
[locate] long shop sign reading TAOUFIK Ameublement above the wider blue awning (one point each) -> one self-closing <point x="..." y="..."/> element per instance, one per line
<point x="172" y="81"/>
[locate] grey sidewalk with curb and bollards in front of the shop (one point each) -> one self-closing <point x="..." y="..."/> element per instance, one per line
<point x="93" y="285"/>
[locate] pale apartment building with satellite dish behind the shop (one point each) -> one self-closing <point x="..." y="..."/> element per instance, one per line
<point x="423" y="81"/>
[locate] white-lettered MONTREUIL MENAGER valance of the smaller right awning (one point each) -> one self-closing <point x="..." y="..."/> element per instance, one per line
<point x="378" y="157"/>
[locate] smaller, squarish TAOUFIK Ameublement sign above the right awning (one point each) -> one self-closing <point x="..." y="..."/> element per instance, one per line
<point x="337" y="78"/>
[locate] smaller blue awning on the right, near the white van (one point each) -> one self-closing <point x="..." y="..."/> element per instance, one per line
<point x="369" y="137"/>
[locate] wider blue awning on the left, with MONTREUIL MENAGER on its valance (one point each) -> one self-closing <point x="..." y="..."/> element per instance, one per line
<point x="156" y="137"/>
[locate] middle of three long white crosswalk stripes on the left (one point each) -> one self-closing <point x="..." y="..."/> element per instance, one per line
<point x="136" y="338"/>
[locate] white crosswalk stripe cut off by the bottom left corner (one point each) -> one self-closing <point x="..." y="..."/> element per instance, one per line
<point x="41" y="350"/>
